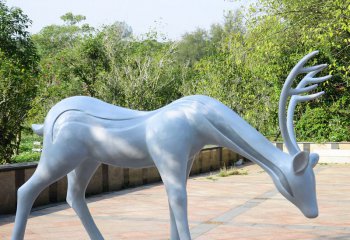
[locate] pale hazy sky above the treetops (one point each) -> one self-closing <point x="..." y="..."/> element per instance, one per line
<point x="170" y="17"/>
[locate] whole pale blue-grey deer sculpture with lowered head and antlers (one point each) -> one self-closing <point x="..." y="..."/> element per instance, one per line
<point x="80" y="133"/>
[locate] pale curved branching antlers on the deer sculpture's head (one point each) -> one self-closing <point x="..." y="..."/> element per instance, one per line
<point x="286" y="121"/>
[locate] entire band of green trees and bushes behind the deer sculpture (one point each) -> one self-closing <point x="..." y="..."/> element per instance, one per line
<point x="242" y="62"/>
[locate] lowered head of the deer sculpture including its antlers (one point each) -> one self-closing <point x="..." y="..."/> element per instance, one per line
<point x="300" y="186"/>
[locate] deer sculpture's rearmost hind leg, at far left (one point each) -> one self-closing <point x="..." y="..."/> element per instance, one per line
<point x="45" y="174"/>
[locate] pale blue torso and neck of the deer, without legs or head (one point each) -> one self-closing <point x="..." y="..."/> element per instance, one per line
<point x="124" y="139"/>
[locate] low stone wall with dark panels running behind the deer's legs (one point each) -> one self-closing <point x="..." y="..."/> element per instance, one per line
<point x="109" y="178"/>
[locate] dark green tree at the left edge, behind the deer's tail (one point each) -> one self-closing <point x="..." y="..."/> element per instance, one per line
<point x="18" y="69"/>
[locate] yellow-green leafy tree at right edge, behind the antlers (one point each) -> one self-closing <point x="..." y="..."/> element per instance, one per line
<point x="299" y="28"/>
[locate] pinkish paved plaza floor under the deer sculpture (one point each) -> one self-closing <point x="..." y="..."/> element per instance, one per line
<point x="235" y="207"/>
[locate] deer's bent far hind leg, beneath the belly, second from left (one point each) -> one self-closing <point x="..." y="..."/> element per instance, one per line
<point x="78" y="180"/>
